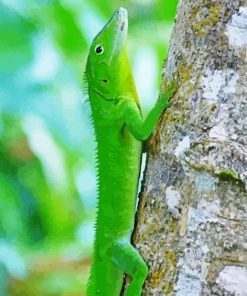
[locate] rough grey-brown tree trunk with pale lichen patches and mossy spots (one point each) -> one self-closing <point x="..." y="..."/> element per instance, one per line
<point x="192" y="218"/>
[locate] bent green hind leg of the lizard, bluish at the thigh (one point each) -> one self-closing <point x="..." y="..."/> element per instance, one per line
<point x="126" y="257"/>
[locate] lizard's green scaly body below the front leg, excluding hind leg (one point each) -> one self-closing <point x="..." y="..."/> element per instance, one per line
<point x="119" y="156"/>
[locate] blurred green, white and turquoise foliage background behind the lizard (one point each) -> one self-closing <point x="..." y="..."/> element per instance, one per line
<point x="47" y="148"/>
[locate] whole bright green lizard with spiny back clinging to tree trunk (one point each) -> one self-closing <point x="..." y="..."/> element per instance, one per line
<point x="119" y="130"/>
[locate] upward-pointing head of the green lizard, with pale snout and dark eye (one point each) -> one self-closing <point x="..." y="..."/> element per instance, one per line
<point x="107" y="56"/>
